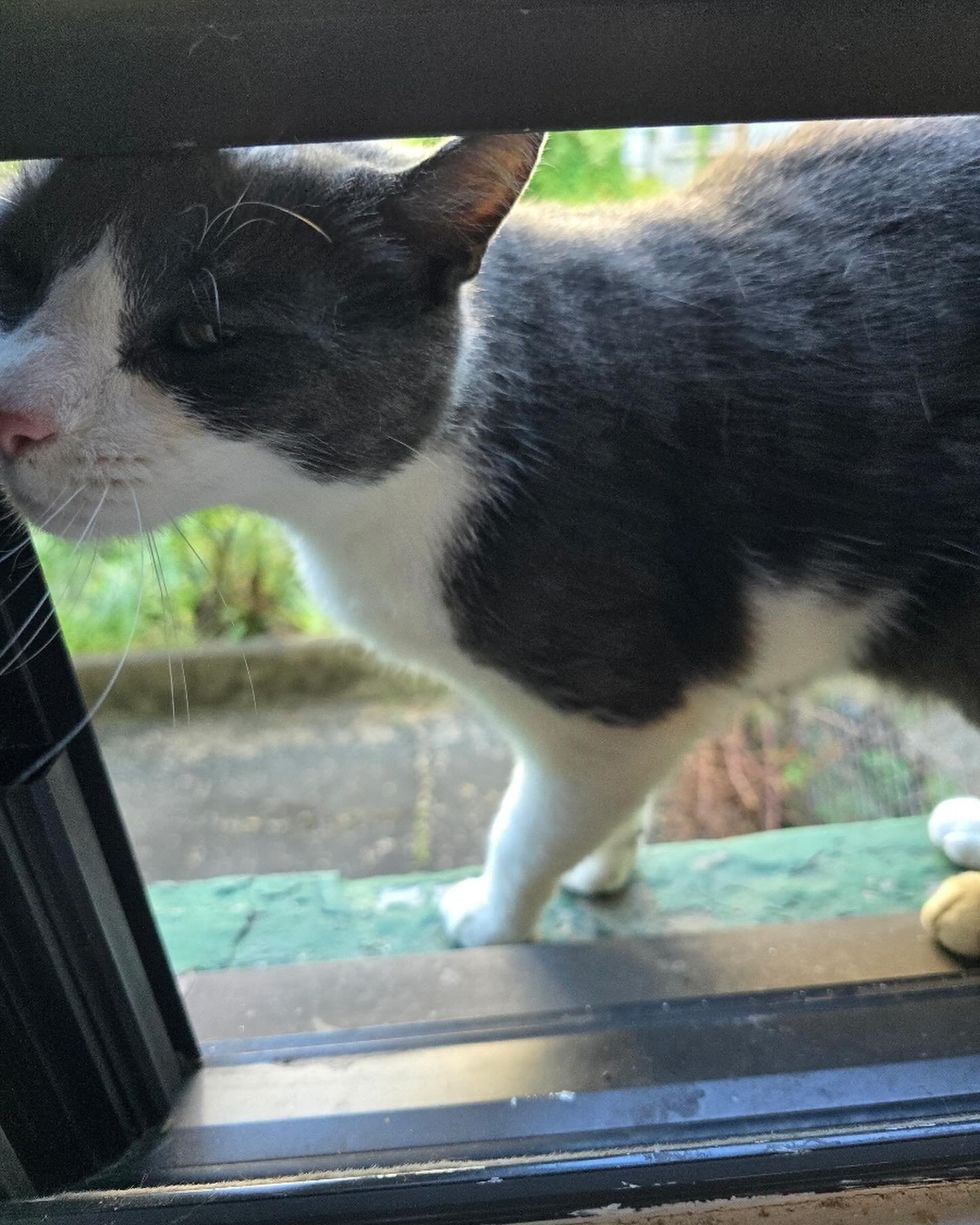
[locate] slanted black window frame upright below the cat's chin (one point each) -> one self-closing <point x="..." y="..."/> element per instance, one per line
<point x="95" y="1042"/>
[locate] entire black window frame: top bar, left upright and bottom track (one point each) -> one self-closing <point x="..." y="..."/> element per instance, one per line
<point x="97" y="1059"/>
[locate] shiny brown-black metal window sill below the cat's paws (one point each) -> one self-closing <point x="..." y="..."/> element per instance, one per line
<point x="703" y="1069"/>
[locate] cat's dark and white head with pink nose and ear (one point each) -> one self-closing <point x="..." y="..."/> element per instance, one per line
<point x="177" y="331"/>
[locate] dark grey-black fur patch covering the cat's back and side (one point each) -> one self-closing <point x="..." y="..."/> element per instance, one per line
<point x="775" y="377"/>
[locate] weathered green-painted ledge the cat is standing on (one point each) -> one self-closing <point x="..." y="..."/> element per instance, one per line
<point x="788" y="875"/>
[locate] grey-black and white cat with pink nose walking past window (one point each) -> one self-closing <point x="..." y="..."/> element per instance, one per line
<point x="649" y="462"/>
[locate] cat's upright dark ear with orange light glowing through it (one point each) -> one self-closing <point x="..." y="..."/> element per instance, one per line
<point x="450" y="206"/>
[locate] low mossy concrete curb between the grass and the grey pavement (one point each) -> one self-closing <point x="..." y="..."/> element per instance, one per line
<point x="219" y="677"/>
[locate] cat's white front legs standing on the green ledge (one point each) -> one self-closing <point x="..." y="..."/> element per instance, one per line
<point x="549" y="821"/>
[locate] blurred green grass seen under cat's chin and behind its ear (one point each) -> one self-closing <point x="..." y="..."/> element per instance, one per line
<point x="248" y="585"/>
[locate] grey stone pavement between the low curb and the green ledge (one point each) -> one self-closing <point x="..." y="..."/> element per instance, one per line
<point x="364" y="788"/>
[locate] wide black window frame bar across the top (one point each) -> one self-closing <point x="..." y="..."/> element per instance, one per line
<point x="186" y="74"/>
